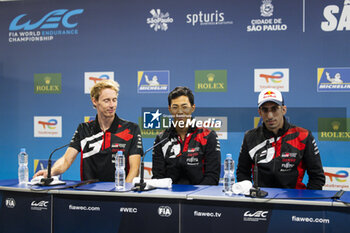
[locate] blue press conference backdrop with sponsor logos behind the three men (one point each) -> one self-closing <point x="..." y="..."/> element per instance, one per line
<point x="226" y="51"/>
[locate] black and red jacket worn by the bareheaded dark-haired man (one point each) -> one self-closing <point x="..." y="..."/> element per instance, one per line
<point x="195" y="160"/>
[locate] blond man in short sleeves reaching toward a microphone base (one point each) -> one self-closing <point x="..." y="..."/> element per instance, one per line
<point x="99" y="140"/>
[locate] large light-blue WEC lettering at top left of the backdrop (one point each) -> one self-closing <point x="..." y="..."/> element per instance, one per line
<point x="50" y="21"/>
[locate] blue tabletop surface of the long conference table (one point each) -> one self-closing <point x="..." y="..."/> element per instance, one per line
<point x="187" y="192"/>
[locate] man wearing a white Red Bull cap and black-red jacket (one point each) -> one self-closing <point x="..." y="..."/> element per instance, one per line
<point x="283" y="151"/>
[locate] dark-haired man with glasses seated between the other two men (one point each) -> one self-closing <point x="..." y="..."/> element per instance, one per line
<point x="188" y="154"/>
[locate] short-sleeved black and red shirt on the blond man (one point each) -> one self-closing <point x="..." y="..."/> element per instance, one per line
<point x="98" y="148"/>
